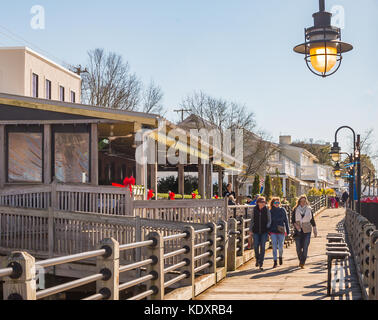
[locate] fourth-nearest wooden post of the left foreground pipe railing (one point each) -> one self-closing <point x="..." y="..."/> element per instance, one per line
<point x="188" y="257"/>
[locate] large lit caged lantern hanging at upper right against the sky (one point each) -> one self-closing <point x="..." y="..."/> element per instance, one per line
<point x="323" y="47"/>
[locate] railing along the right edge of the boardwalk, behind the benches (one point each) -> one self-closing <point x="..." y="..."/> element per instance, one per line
<point x="363" y="238"/>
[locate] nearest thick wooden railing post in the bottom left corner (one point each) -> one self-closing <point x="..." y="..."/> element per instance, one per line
<point x="21" y="285"/>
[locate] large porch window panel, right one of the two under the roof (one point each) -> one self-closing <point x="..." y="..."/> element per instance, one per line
<point x="72" y="157"/>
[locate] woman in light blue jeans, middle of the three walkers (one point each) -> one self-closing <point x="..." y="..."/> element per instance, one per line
<point x="278" y="229"/>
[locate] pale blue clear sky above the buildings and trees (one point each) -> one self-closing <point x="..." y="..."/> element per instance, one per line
<point x="240" y="50"/>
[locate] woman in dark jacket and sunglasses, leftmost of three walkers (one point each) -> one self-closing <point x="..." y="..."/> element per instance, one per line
<point x="261" y="221"/>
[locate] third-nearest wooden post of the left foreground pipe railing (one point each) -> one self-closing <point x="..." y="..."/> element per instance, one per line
<point x="156" y="252"/>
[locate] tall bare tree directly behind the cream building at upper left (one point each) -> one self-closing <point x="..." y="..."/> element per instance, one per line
<point x="109" y="82"/>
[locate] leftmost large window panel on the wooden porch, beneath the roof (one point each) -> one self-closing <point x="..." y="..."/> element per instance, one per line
<point x="25" y="157"/>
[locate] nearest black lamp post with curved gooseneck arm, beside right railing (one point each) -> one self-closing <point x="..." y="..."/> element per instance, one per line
<point x="336" y="156"/>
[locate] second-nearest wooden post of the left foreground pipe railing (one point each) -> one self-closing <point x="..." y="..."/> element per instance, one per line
<point x="108" y="265"/>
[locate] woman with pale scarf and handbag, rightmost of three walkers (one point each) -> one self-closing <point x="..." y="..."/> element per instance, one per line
<point x="303" y="221"/>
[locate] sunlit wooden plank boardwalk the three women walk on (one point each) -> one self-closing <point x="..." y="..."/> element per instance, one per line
<point x="289" y="282"/>
